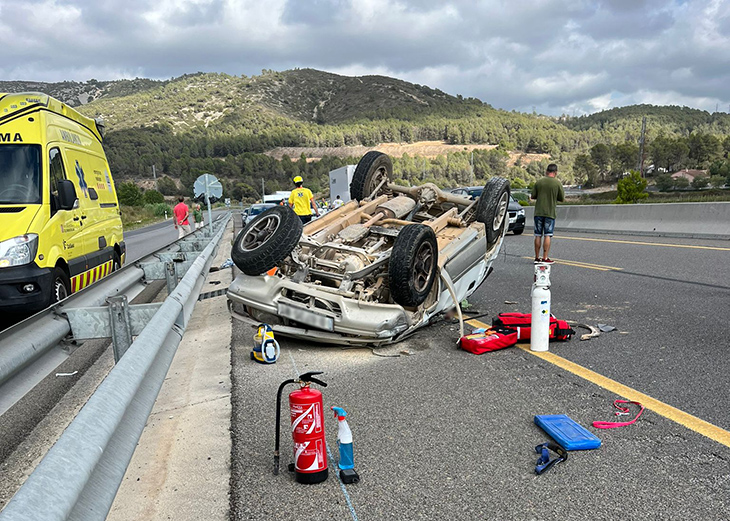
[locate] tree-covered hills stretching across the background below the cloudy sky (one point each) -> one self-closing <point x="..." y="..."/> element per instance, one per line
<point x="303" y="121"/>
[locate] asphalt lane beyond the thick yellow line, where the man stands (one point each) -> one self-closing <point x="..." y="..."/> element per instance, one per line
<point x="669" y="299"/>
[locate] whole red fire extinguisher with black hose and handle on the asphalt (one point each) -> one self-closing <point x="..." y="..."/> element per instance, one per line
<point x="307" y="425"/>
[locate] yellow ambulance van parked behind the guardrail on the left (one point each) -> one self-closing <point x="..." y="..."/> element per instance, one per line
<point x="60" y="224"/>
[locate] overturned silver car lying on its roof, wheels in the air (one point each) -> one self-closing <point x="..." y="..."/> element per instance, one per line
<point x="374" y="270"/>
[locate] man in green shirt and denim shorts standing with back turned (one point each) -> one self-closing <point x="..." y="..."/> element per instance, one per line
<point x="547" y="191"/>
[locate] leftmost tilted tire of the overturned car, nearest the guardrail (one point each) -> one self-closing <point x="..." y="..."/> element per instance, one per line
<point x="266" y="240"/>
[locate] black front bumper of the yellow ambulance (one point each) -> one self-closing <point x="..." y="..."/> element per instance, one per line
<point x="12" y="296"/>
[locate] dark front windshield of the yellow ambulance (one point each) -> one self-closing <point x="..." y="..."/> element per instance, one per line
<point x="20" y="174"/>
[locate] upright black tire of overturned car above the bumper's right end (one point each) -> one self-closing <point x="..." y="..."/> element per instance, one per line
<point x="413" y="265"/>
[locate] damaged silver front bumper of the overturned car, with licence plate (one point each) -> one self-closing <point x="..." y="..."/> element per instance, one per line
<point x="306" y="311"/>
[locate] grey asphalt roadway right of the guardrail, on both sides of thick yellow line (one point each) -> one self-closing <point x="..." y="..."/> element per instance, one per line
<point x="443" y="434"/>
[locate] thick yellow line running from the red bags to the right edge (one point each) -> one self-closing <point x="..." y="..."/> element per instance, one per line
<point x="672" y="413"/>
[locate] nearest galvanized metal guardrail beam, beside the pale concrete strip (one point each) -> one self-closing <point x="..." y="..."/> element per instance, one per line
<point x="79" y="477"/>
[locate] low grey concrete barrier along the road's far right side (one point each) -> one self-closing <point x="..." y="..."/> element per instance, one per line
<point x="698" y="220"/>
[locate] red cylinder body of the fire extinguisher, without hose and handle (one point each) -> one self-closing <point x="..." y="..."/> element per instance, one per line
<point x="310" y="451"/>
